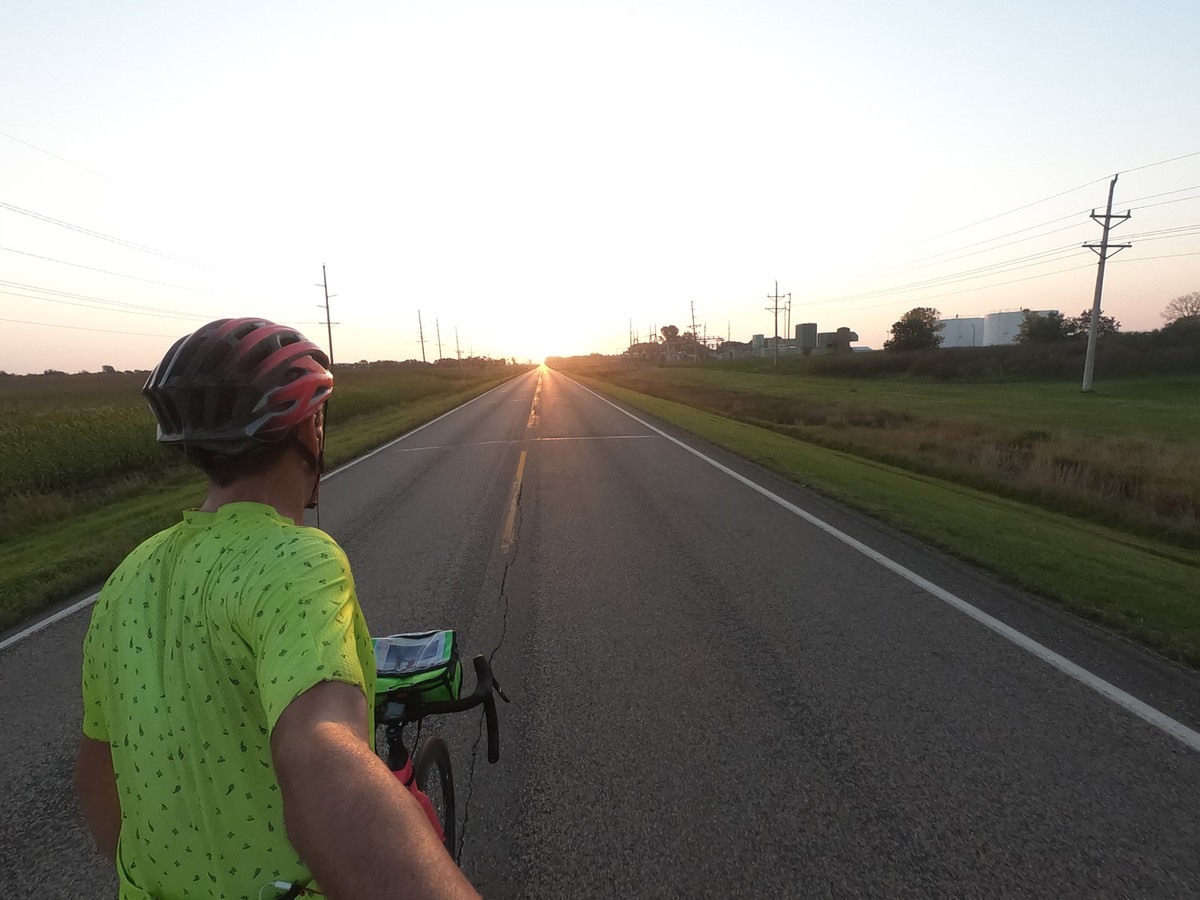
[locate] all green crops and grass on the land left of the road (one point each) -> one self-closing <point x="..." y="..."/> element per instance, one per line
<point x="74" y="532"/>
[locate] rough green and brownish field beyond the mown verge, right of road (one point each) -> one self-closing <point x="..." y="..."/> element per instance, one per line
<point x="1123" y="457"/>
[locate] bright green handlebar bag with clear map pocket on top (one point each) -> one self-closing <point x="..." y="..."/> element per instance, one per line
<point x="421" y="665"/>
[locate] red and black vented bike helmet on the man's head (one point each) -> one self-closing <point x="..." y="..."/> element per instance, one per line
<point x="237" y="385"/>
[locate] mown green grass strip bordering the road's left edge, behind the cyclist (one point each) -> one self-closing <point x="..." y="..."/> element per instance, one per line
<point x="57" y="560"/>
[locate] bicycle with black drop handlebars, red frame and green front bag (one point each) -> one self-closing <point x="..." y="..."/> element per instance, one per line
<point x="423" y="679"/>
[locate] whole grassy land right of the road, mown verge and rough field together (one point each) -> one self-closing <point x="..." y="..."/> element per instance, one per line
<point x="1087" y="500"/>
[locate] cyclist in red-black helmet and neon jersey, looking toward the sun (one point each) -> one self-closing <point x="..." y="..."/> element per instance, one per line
<point x="227" y="674"/>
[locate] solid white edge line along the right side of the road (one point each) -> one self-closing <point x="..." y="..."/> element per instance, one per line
<point x="1106" y="689"/>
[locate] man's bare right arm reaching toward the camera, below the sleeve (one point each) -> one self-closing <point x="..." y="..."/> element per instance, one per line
<point x="359" y="831"/>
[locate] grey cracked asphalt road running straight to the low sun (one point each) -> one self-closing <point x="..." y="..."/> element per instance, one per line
<point x="711" y="697"/>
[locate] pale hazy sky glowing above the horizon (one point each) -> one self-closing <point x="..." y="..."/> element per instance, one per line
<point x="538" y="175"/>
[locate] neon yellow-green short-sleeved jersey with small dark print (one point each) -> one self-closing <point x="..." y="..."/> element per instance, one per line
<point x="199" y="643"/>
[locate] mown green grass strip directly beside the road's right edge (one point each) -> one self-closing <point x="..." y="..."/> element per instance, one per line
<point x="1137" y="586"/>
